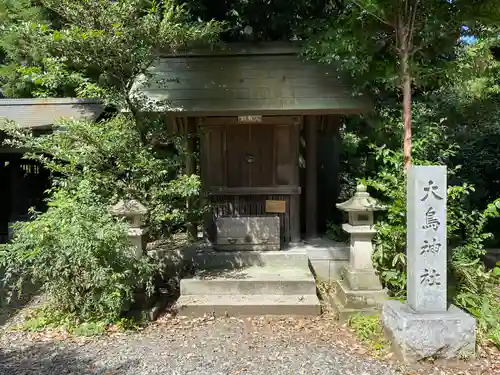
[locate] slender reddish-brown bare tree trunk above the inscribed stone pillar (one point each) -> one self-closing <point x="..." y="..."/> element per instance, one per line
<point x="406" y="83"/>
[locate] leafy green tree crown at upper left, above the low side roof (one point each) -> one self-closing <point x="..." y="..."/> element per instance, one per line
<point x="106" y="43"/>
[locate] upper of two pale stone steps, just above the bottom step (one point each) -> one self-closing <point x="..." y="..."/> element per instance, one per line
<point x="270" y="280"/>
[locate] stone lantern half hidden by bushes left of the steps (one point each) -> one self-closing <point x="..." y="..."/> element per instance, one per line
<point x="135" y="214"/>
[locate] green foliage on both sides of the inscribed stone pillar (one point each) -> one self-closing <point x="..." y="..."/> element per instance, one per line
<point x="470" y="285"/>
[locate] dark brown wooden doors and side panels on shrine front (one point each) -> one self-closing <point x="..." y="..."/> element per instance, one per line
<point x="249" y="155"/>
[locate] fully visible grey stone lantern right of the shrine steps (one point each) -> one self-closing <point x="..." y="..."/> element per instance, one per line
<point x="360" y="290"/>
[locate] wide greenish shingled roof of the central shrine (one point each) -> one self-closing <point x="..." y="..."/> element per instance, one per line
<point x="260" y="79"/>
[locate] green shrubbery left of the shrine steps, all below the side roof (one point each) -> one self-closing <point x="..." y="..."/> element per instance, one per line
<point x="77" y="251"/>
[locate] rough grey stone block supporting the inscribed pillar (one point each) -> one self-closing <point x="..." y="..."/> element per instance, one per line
<point x="439" y="335"/>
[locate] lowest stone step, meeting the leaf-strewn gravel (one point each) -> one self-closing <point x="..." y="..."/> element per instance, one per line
<point x="248" y="305"/>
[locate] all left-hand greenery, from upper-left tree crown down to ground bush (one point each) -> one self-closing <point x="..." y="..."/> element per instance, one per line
<point x="95" y="49"/>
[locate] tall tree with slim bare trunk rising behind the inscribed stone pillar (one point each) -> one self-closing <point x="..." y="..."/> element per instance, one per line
<point x="413" y="33"/>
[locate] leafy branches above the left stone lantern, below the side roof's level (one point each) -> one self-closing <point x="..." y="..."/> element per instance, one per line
<point x="112" y="157"/>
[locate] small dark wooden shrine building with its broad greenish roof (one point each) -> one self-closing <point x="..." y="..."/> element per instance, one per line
<point x="266" y="123"/>
